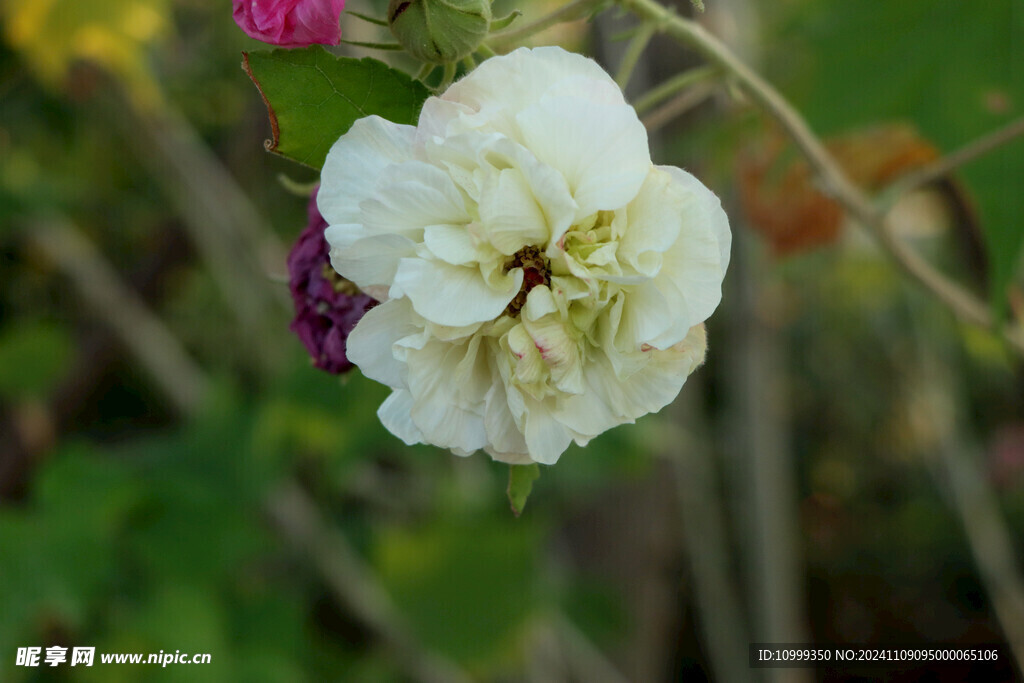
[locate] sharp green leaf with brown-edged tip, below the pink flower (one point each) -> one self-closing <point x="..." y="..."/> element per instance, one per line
<point x="314" y="98"/>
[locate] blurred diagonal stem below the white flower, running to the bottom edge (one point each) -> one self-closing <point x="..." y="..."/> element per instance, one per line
<point x="355" y="586"/>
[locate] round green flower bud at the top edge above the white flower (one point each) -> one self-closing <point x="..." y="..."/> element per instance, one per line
<point x="440" y="31"/>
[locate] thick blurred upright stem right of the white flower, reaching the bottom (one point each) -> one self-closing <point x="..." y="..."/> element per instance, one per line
<point x="758" y="437"/>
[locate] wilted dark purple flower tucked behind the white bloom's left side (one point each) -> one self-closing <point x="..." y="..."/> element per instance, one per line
<point x="327" y="306"/>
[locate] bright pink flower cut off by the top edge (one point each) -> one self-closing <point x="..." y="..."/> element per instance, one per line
<point x="290" y="23"/>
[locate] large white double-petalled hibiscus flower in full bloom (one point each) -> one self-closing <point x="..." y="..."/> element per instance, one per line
<point x="542" y="280"/>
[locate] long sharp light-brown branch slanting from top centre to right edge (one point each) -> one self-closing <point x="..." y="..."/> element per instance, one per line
<point x="835" y="183"/>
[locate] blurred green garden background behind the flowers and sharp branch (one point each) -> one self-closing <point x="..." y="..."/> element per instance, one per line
<point x="175" y="476"/>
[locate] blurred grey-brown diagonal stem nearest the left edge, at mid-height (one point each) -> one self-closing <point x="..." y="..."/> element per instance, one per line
<point x="156" y="349"/>
